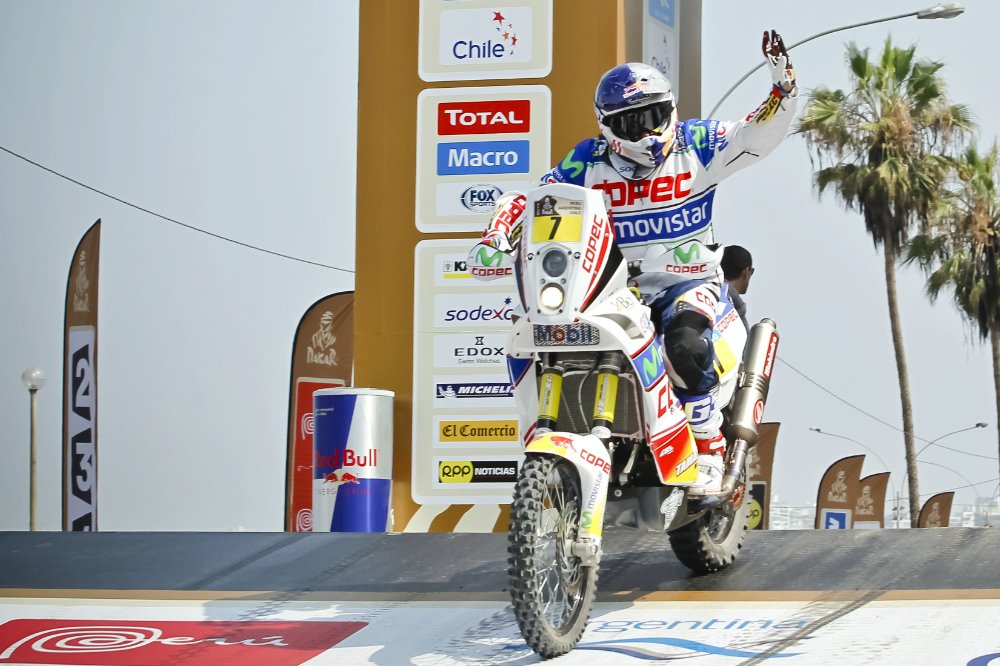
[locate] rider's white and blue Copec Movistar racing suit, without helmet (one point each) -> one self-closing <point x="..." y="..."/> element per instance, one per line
<point x="663" y="216"/>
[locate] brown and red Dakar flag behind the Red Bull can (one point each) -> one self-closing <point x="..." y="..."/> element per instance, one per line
<point x="322" y="357"/>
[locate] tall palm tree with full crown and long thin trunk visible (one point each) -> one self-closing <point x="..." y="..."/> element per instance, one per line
<point x="883" y="148"/>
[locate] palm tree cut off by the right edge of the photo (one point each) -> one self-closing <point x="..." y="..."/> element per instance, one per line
<point x="962" y="248"/>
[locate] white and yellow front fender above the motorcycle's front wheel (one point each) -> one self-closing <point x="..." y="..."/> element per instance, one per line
<point x="589" y="456"/>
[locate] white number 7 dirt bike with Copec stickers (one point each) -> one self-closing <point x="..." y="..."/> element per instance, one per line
<point x="605" y="438"/>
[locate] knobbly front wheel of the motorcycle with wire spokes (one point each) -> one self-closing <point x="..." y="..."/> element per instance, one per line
<point x="551" y="590"/>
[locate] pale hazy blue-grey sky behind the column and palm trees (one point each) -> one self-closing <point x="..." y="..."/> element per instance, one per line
<point x="239" y="118"/>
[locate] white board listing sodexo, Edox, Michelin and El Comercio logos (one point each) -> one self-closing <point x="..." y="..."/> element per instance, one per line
<point x="462" y="402"/>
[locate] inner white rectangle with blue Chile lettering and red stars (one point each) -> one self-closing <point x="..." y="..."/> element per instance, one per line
<point x="476" y="36"/>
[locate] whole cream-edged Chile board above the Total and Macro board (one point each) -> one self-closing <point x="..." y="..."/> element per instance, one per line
<point x="475" y="40"/>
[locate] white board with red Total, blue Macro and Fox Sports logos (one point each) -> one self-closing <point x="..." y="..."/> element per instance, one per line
<point x="473" y="145"/>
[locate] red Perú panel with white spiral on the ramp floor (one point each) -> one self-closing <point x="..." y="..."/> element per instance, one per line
<point x="193" y="643"/>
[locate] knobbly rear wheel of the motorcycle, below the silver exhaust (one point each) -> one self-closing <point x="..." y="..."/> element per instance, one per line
<point x="712" y="541"/>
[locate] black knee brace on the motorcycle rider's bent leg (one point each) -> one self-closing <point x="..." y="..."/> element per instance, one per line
<point x="687" y="342"/>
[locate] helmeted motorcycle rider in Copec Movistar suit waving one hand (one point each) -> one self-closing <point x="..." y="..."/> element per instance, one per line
<point x="659" y="177"/>
